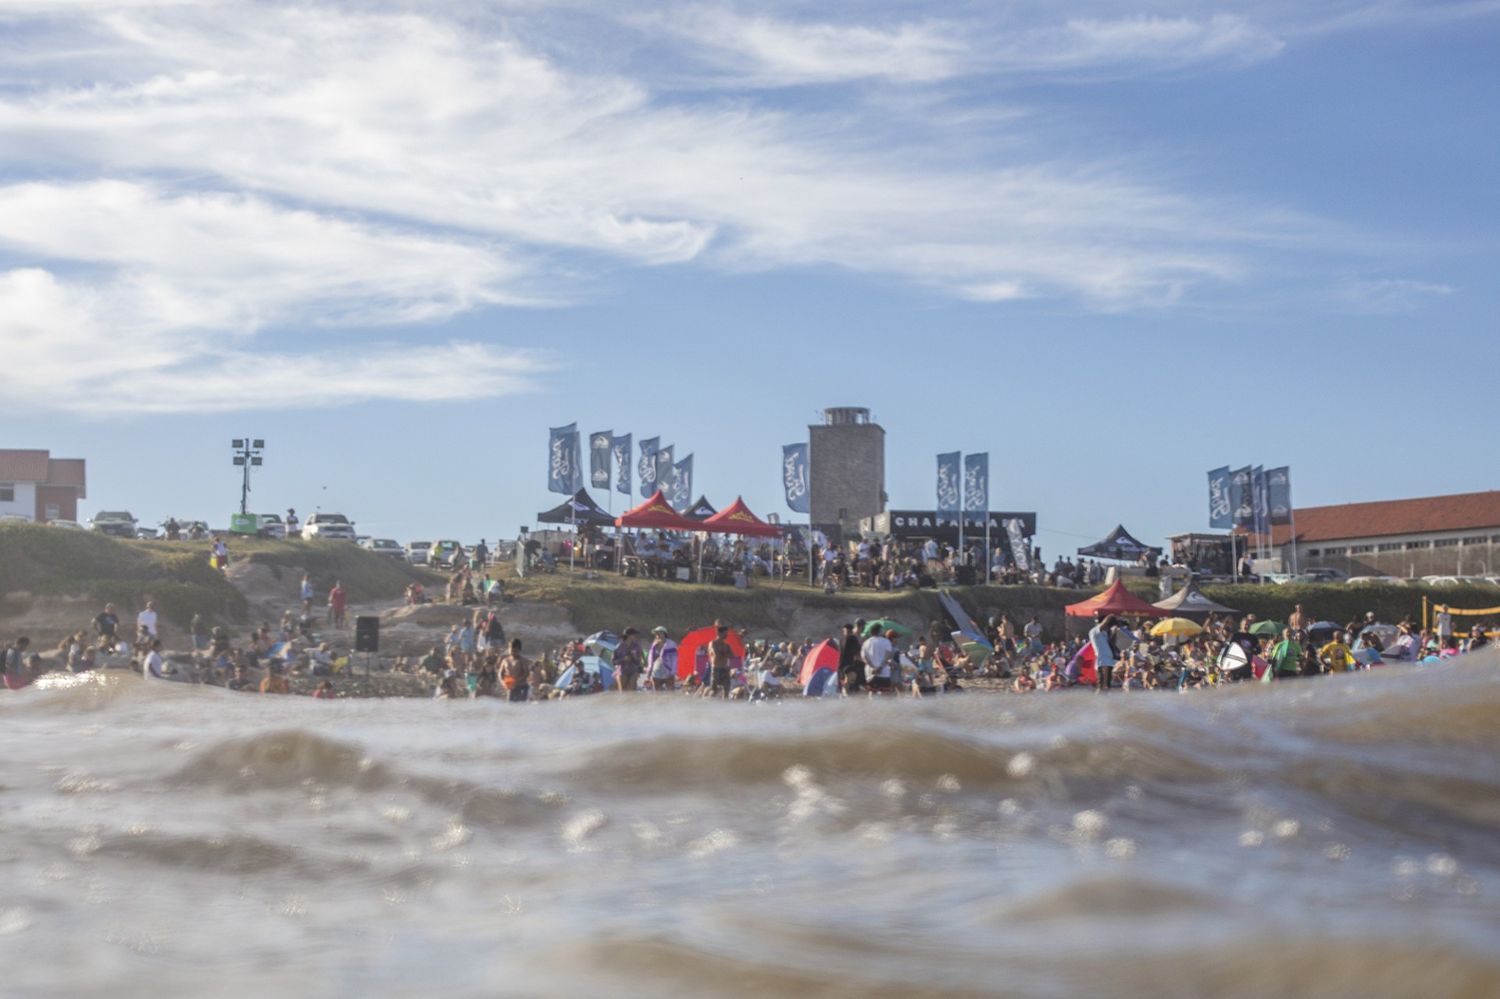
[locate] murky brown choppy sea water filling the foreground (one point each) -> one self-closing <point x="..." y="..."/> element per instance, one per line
<point x="1334" y="838"/>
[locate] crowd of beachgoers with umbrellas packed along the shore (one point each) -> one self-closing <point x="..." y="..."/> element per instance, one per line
<point x="478" y="659"/>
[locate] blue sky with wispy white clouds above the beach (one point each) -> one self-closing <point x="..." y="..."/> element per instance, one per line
<point x="1114" y="245"/>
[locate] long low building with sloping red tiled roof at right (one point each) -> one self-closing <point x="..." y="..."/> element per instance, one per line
<point x="1432" y="536"/>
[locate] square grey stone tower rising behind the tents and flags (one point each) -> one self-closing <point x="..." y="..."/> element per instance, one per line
<point x="847" y="457"/>
